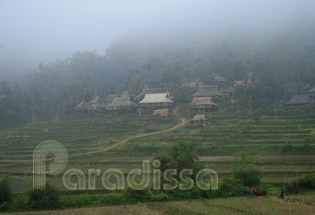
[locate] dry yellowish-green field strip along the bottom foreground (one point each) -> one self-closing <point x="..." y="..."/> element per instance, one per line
<point x="292" y="205"/>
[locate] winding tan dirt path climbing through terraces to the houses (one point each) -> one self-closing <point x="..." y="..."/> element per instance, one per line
<point x="181" y="124"/>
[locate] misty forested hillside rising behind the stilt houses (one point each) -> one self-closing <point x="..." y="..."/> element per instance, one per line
<point x="279" y="66"/>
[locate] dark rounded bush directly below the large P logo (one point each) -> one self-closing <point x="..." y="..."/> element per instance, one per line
<point x="45" y="198"/>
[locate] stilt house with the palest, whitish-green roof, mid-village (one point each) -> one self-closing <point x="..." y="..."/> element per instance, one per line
<point x="155" y="101"/>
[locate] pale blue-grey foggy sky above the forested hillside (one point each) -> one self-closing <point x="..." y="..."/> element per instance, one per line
<point x="34" y="32"/>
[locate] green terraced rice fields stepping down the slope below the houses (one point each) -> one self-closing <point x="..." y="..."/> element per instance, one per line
<point x="282" y="146"/>
